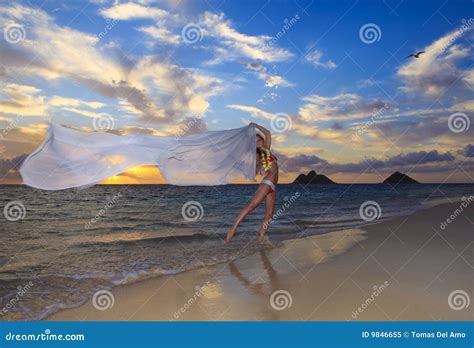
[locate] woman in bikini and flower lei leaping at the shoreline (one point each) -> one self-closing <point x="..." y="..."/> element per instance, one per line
<point x="267" y="166"/>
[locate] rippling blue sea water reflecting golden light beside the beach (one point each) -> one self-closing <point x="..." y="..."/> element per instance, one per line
<point x="72" y="243"/>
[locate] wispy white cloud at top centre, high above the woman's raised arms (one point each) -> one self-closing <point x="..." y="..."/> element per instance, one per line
<point x="233" y="45"/>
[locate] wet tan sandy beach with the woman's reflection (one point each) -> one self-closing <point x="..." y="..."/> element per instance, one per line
<point x="402" y="269"/>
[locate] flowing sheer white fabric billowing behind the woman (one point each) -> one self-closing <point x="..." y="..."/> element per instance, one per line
<point x="71" y="158"/>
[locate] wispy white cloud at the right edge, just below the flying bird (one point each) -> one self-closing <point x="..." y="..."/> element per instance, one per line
<point x="436" y="70"/>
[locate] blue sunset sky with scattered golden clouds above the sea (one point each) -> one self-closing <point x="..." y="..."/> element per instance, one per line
<point x="330" y="79"/>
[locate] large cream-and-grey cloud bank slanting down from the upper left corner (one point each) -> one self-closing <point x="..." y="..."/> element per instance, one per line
<point x="158" y="90"/>
